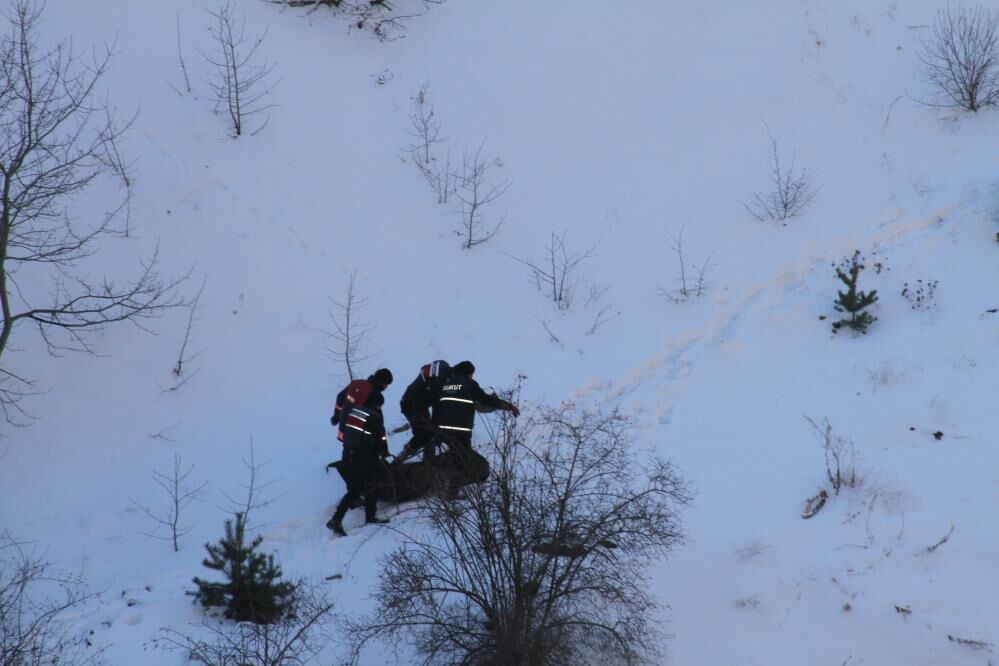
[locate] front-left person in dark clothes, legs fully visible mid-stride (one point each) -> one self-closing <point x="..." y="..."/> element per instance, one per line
<point x="364" y="445"/>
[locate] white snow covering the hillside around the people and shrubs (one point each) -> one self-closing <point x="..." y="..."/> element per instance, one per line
<point x="615" y="125"/>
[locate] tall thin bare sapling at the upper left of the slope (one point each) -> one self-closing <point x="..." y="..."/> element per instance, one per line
<point x="239" y="84"/>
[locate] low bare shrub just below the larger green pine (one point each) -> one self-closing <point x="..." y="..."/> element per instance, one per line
<point x="294" y="640"/>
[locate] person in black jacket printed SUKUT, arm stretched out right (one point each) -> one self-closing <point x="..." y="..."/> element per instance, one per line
<point x="454" y="410"/>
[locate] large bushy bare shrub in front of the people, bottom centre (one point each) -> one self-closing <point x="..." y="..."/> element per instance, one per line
<point x="546" y="561"/>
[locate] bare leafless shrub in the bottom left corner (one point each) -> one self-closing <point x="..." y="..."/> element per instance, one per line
<point x="37" y="610"/>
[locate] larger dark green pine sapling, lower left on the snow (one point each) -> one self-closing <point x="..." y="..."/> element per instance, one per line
<point x="252" y="591"/>
